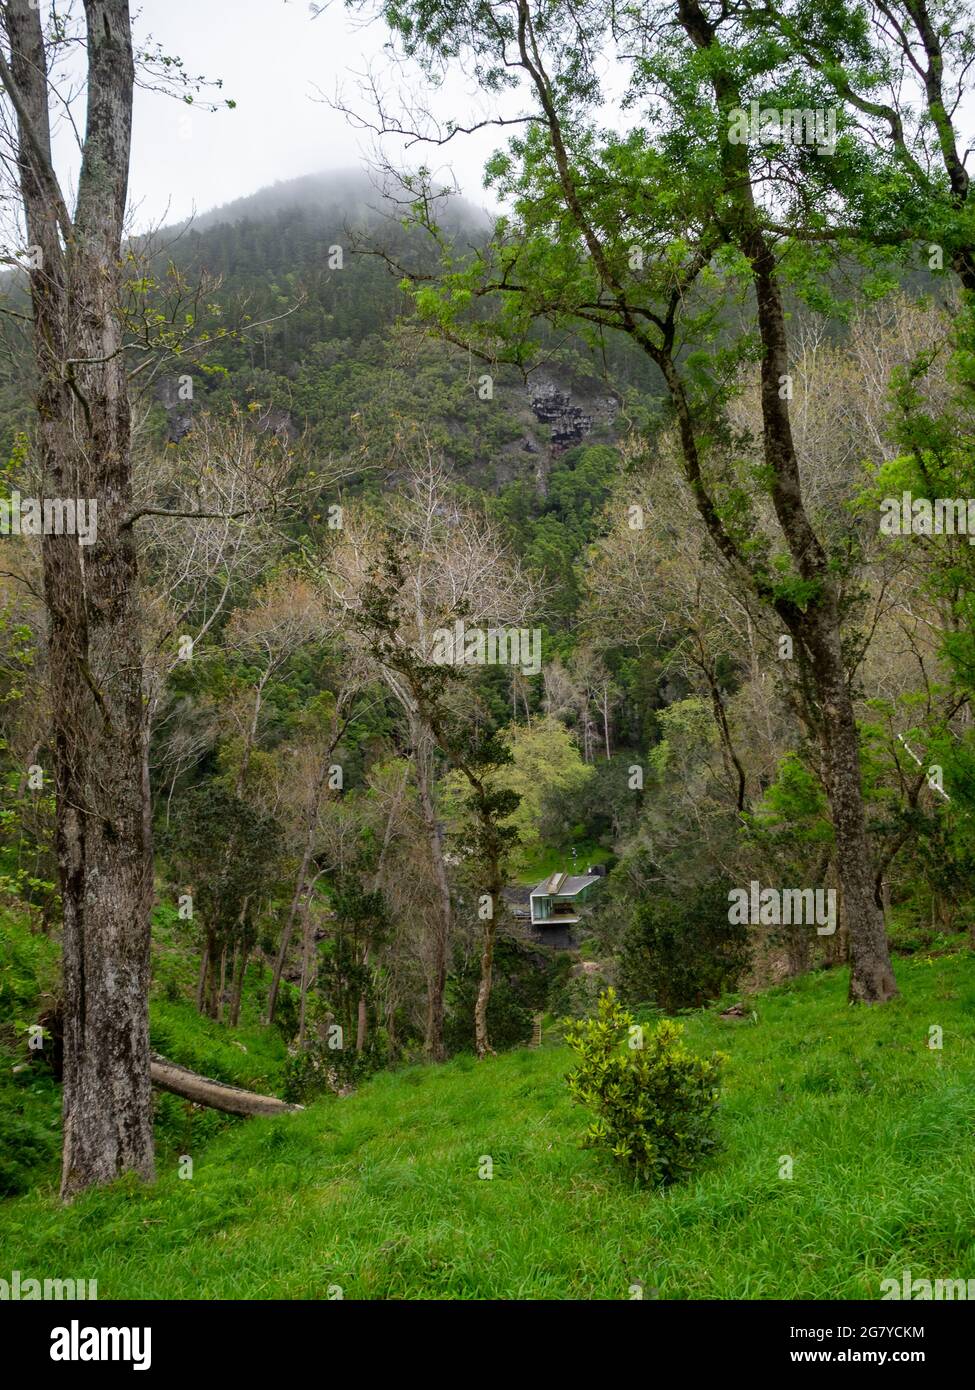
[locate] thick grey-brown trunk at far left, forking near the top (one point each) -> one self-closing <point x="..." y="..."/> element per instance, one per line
<point x="91" y="596"/>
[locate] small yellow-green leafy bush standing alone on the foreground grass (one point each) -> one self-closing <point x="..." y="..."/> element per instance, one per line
<point x="656" y="1102"/>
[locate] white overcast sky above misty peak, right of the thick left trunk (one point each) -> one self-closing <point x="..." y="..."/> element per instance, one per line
<point x="272" y="56"/>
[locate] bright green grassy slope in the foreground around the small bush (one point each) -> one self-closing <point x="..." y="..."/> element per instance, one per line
<point x="380" y="1193"/>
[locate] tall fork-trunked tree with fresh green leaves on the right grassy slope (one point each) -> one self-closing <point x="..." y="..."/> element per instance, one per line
<point x="654" y="234"/>
